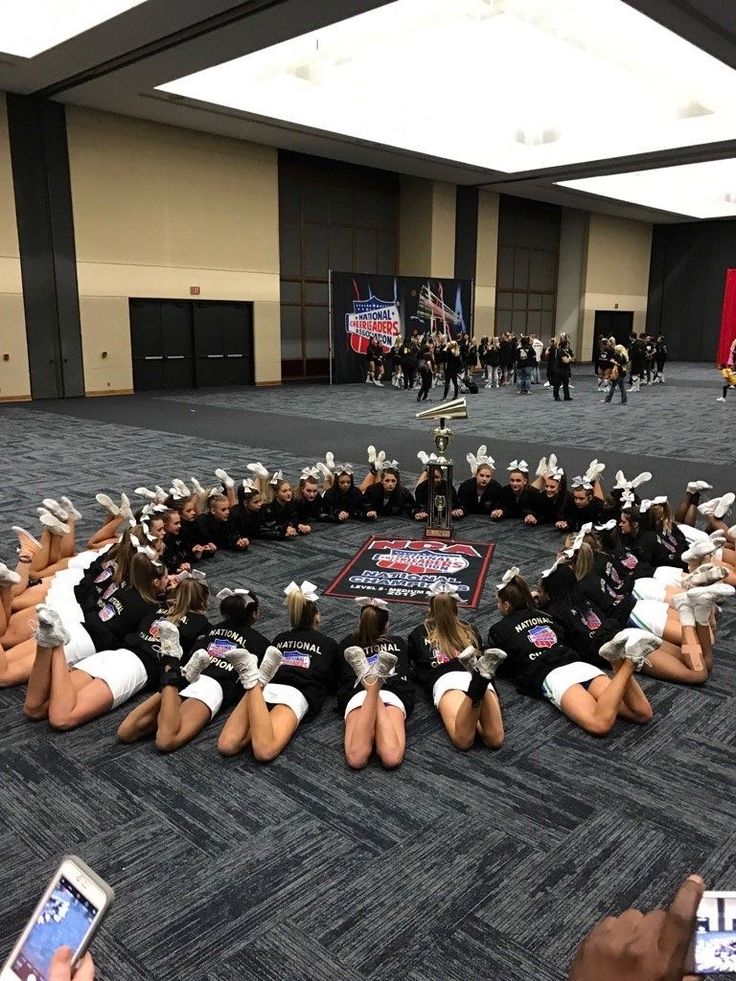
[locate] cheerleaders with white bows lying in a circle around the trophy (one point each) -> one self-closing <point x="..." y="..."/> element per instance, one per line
<point x="633" y="588"/>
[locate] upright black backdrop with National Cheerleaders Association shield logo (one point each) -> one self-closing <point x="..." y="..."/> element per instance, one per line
<point x="387" y="307"/>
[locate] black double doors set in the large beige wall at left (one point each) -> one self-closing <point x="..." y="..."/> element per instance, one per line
<point x="191" y="344"/>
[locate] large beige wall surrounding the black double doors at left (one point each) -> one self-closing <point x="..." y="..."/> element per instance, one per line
<point x="159" y="209"/>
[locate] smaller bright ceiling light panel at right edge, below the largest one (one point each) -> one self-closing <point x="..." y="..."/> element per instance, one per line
<point x="699" y="190"/>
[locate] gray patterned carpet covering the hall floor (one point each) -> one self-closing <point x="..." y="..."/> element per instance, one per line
<point x="456" y="866"/>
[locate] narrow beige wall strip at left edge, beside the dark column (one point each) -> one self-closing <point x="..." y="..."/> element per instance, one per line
<point x="14" y="376"/>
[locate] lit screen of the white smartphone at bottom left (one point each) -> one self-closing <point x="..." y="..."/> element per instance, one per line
<point x="65" y="920"/>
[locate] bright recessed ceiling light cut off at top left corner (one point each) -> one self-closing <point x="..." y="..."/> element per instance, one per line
<point x="33" y="26"/>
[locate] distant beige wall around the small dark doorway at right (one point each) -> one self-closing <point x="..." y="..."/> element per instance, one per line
<point x="616" y="273"/>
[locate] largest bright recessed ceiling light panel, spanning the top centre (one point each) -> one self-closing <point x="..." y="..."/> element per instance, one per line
<point x="461" y="81"/>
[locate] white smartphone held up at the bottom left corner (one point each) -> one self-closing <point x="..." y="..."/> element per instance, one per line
<point x="68" y="914"/>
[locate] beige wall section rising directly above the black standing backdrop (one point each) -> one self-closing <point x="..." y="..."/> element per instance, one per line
<point x="426" y="228"/>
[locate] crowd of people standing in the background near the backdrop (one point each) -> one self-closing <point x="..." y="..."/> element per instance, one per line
<point x="432" y="359"/>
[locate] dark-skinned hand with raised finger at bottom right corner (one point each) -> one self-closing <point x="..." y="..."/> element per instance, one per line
<point x="642" y="946"/>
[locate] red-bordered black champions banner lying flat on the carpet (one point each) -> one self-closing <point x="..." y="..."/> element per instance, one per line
<point x="401" y="570"/>
